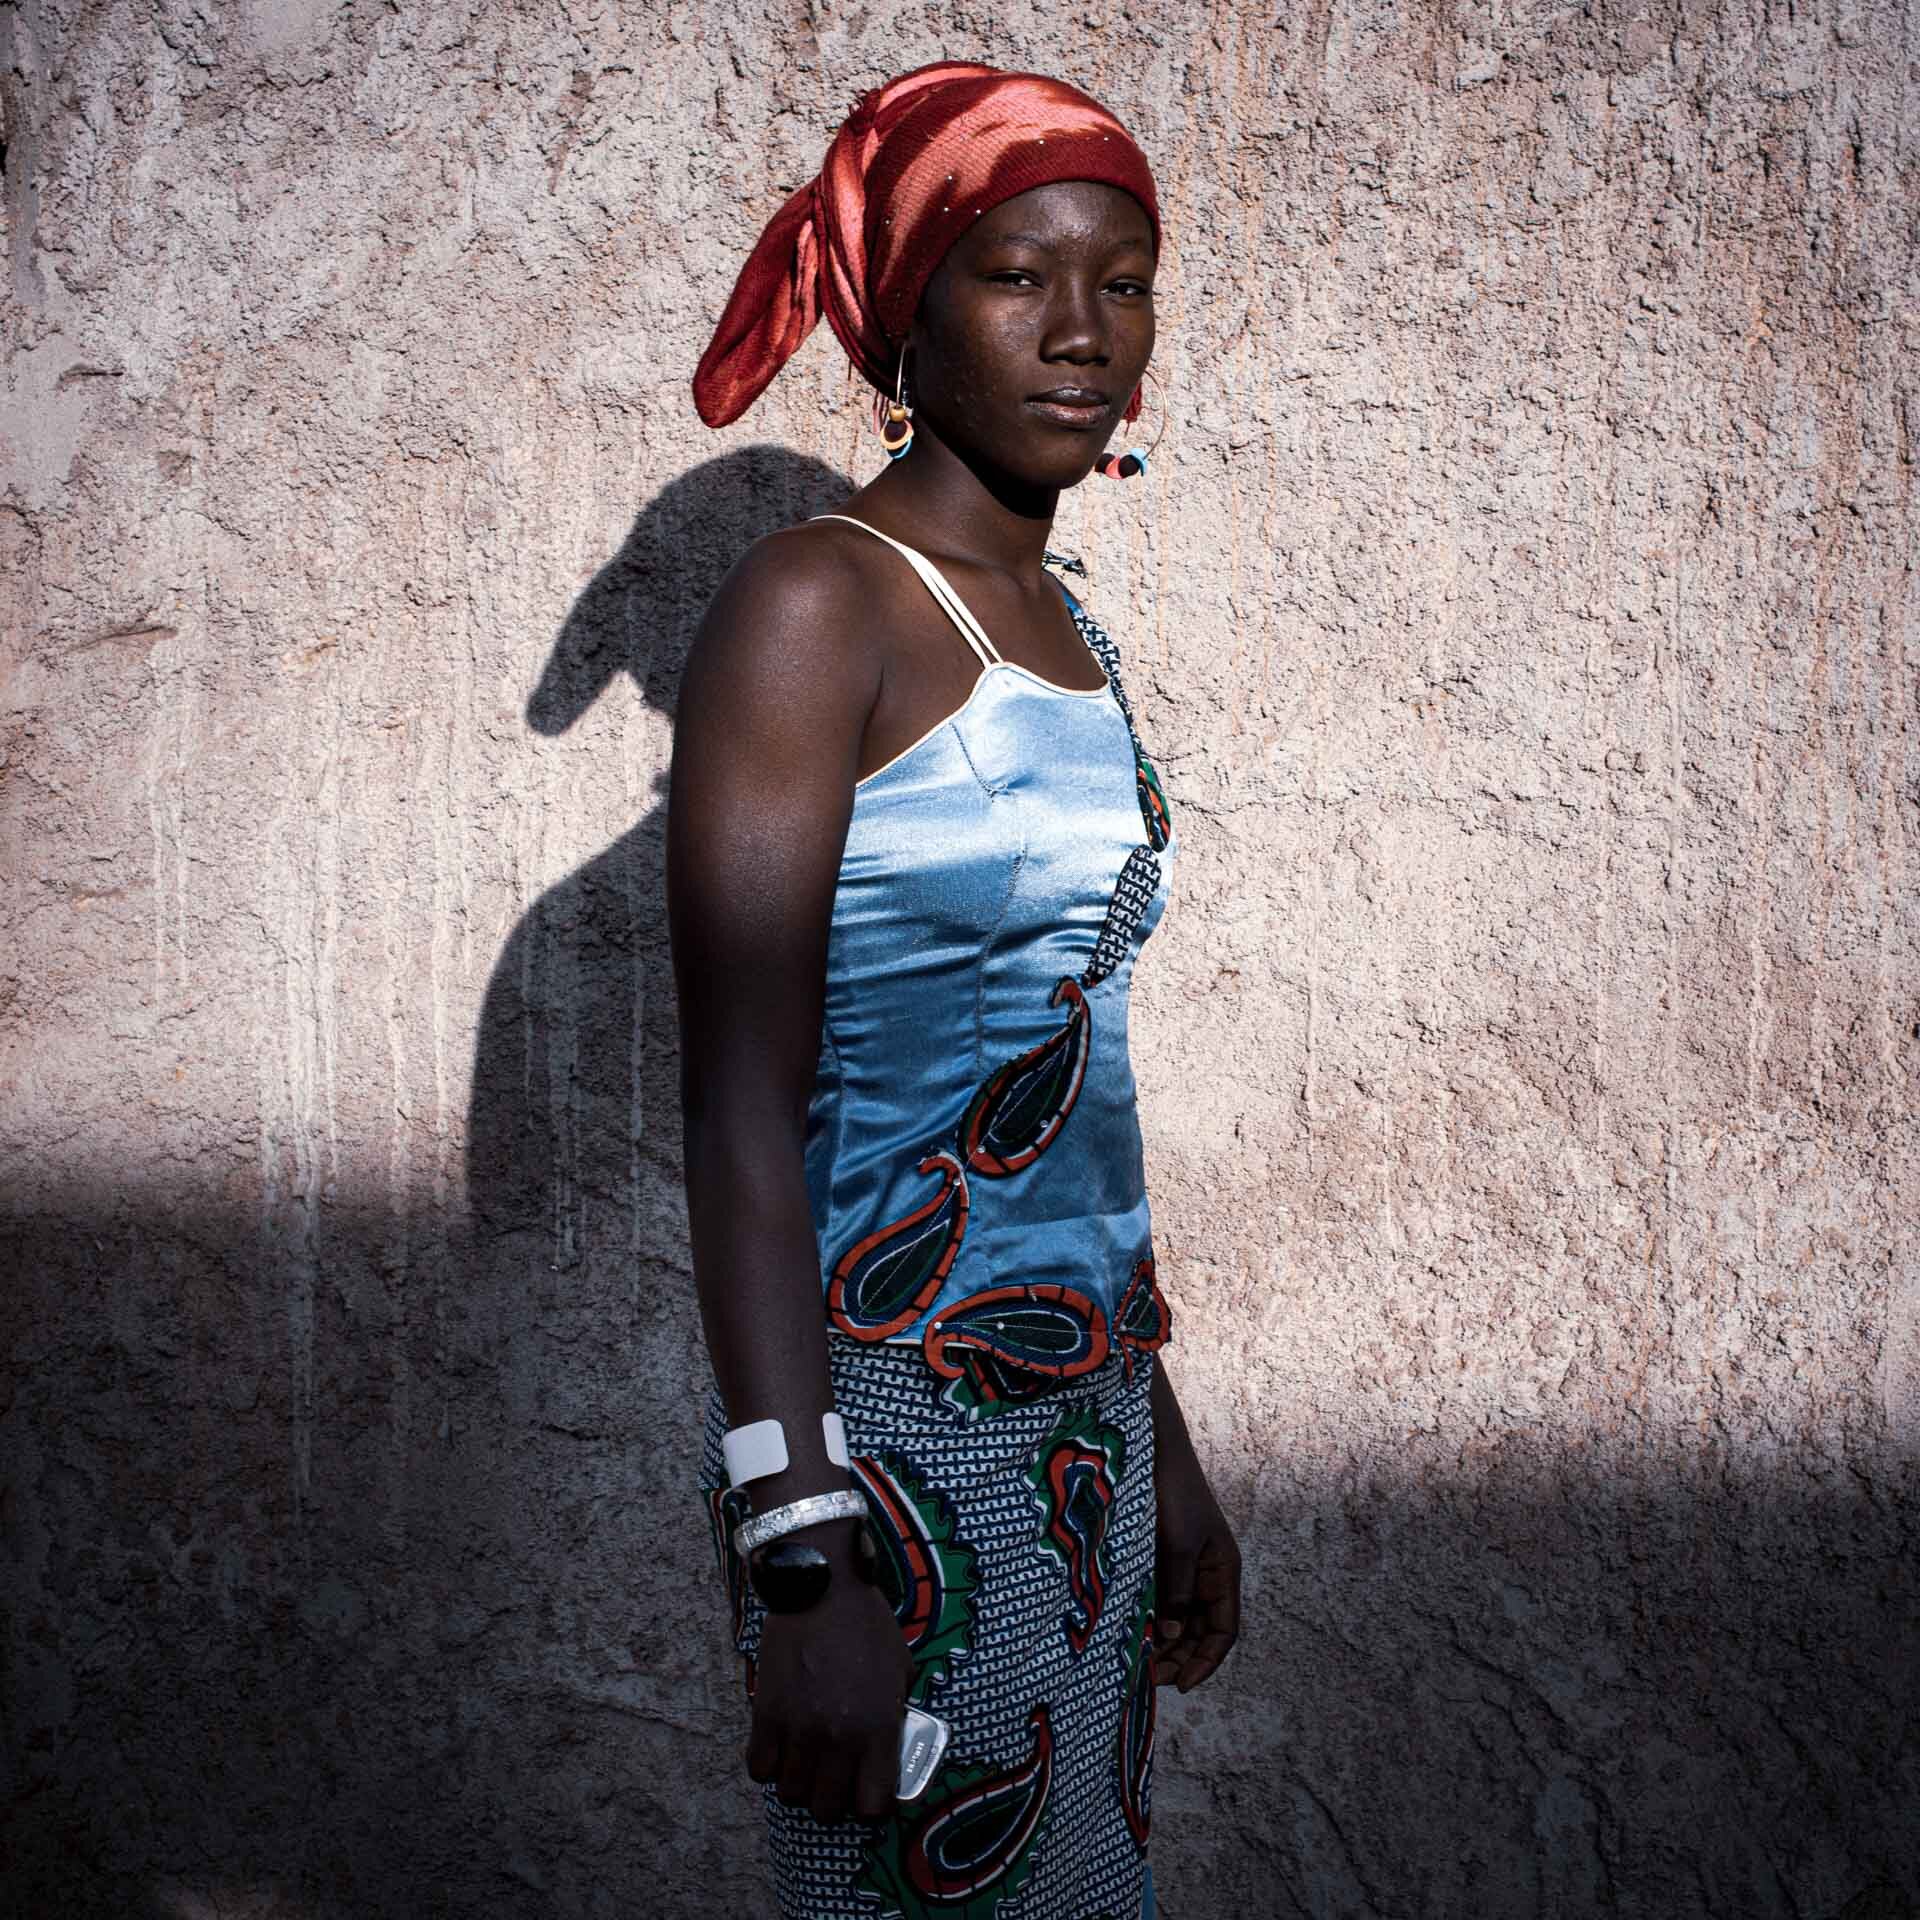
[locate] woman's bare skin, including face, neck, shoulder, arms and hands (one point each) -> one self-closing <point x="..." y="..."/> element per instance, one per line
<point x="821" y="660"/>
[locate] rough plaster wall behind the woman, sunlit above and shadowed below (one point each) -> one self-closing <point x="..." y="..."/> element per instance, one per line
<point x="1524" y="612"/>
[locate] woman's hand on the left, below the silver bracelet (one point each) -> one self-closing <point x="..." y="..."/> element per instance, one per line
<point x="830" y="1692"/>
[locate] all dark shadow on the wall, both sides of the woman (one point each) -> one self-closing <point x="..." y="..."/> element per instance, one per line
<point x="437" y="1631"/>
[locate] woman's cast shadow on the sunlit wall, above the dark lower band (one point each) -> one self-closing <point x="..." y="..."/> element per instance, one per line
<point x="573" y="1138"/>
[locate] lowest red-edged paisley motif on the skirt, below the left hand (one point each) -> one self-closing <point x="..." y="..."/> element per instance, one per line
<point x="967" y="1846"/>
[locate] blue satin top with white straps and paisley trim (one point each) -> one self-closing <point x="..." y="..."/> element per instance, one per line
<point x="972" y="1147"/>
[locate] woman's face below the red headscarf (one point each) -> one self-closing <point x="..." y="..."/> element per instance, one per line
<point x="1036" y="331"/>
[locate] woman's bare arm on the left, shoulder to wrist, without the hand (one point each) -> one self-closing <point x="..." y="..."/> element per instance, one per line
<point x="769" y="734"/>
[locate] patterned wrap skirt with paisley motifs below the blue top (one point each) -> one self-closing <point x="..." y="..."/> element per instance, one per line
<point x="1017" y="1531"/>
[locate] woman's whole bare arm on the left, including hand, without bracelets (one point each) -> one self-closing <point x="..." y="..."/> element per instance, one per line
<point x="773" y="713"/>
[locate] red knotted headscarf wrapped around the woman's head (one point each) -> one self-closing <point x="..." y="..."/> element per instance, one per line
<point x="915" y="166"/>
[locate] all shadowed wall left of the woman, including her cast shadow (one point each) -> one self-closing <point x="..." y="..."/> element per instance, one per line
<point x="471" y="1648"/>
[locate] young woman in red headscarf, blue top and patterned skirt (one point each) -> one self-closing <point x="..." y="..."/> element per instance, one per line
<point x="915" y="848"/>
